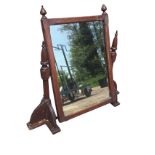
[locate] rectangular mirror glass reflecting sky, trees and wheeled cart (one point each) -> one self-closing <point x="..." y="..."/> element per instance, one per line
<point x="81" y="66"/>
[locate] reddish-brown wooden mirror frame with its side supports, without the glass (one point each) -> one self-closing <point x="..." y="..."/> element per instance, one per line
<point x="44" y="113"/>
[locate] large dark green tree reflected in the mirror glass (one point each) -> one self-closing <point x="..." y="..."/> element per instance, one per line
<point x="86" y="48"/>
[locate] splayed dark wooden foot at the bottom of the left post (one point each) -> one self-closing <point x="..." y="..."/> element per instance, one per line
<point x="44" y="114"/>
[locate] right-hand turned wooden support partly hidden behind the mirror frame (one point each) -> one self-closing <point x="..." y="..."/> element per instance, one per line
<point x="113" y="55"/>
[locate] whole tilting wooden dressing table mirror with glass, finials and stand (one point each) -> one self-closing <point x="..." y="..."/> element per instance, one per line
<point x="77" y="56"/>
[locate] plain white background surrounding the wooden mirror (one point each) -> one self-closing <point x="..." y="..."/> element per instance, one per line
<point x="125" y="130"/>
